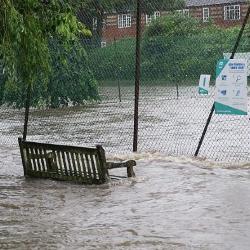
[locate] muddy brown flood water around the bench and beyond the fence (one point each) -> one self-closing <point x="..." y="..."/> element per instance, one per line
<point x="175" y="202"/>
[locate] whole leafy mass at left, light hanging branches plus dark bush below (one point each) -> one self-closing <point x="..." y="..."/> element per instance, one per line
<point x="26" y="27"/>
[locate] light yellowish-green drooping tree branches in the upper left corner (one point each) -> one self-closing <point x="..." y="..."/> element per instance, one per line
<point x="25" y="26"/>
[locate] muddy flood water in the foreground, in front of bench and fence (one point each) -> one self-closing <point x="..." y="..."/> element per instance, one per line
<point x="173" y="203"/>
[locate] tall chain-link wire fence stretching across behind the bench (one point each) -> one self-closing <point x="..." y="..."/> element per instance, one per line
<point x="177" y="47"/>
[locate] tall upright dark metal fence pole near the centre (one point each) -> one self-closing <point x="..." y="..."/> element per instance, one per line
<point x="137" y="74"/>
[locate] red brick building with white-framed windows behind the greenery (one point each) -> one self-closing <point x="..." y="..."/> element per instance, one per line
<point x="225" y="13"/>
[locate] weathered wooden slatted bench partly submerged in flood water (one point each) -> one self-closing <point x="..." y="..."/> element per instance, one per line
<point x="79" y="164"/>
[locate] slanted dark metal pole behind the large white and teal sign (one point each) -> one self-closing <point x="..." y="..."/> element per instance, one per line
<point x="213" y="107"/>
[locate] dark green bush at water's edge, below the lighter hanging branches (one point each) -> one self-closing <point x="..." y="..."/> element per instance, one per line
<point x="70" y="81"/>
